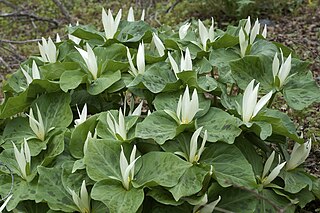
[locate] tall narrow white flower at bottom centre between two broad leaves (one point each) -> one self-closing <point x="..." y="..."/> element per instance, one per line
<point x="127" y="170"/>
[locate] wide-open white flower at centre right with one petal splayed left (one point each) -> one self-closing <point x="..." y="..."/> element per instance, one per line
<point x="187" y="108"/>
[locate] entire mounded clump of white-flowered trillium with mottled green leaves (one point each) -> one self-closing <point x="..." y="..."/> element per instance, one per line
<point x="138" y="119"/>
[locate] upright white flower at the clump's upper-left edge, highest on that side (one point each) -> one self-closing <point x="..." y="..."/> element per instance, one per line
<point x="48" y="51"/>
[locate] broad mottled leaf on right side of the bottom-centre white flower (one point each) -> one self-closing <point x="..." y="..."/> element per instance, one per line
<point x="160" y="168"/>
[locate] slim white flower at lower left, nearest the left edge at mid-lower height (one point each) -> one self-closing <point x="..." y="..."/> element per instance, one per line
<point x="23" y="158"/>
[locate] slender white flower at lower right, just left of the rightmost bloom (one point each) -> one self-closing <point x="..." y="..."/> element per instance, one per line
<point x="274" y="173"/>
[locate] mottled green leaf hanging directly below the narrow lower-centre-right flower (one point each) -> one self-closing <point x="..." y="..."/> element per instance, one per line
<point x="190" y="183"/>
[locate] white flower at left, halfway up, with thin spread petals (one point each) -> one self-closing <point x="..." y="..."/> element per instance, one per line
<point x="37" y="126"/>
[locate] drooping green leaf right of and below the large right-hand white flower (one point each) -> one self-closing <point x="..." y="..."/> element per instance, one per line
<point x="280" y="122"/>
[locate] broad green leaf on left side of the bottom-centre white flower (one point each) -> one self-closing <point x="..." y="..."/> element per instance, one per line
<point x="102" y="159"/>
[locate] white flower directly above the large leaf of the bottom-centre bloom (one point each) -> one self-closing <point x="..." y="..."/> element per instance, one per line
<point x="118" y="128"/>
